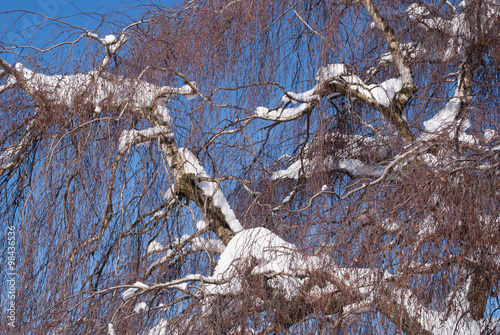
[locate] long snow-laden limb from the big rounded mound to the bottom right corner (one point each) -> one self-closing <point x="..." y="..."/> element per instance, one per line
<point x="259" y="252"/>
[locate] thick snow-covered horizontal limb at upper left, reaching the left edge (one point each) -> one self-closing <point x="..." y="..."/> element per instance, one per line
<point x="94" y="88"/>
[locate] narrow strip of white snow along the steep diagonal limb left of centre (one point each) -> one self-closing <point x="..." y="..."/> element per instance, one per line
<point x="210" y="189"/>
